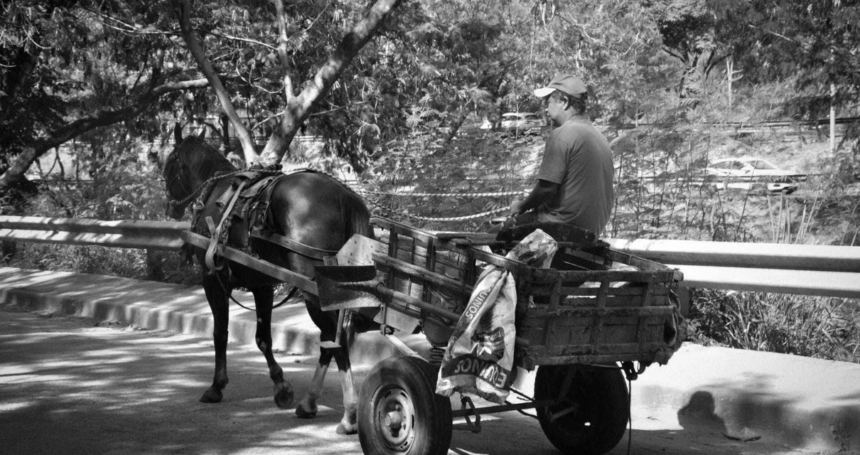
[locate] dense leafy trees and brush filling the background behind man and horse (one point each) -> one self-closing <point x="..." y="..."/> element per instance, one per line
<point x="406" y="113"/>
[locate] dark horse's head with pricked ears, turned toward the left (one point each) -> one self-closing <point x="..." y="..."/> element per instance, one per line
<point x="191" y="163"/>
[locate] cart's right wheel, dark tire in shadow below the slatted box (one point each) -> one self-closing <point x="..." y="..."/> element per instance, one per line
<point x="590" y="417"/>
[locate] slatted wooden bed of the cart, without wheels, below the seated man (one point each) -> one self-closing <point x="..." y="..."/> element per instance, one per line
<point x="611" y="307"/>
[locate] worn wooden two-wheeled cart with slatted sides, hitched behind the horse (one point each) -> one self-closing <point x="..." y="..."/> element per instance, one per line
<point x="583" y="323"/>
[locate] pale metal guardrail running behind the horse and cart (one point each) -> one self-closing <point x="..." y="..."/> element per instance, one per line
<point x="822" y="270"/>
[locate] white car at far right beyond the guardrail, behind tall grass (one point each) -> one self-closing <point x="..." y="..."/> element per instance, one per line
<point x="747" y="172"/>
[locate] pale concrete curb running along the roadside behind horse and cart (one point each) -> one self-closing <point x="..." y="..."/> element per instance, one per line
<point x="745" y="395"/>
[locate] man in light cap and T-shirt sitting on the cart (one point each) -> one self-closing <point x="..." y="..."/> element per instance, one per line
<point x="575" y="179"/>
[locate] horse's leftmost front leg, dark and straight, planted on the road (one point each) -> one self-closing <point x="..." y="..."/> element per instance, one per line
<point x="217" y="297"/>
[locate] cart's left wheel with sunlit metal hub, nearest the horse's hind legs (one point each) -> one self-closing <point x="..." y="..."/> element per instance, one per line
<point x="399" y="411"/>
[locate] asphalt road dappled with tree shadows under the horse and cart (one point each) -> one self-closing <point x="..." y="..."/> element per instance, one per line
<point x="71" y="386"/>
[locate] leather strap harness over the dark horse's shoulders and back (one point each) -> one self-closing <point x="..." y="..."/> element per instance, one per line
<point x="246" y="206"/>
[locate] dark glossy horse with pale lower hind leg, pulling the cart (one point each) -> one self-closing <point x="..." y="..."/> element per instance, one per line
<point x="314" y="210"/>
